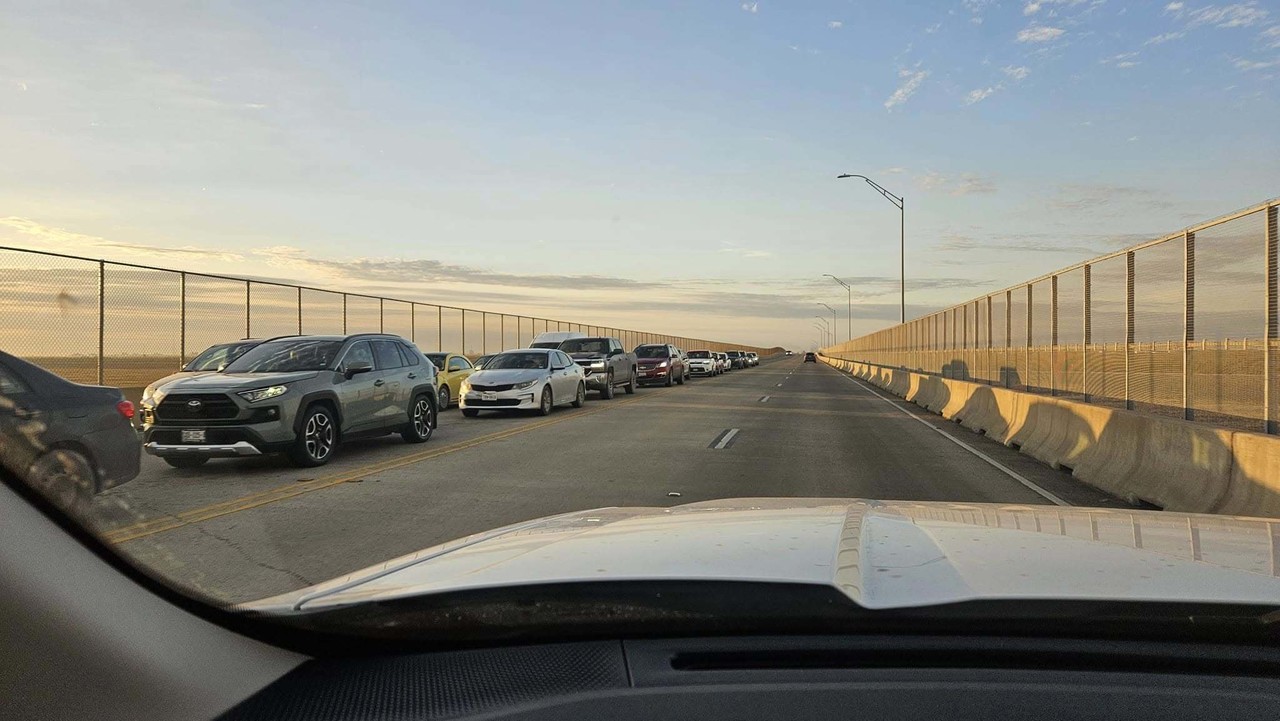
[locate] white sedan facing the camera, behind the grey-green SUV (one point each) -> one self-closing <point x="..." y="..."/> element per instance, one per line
<point x="527" y="380"/>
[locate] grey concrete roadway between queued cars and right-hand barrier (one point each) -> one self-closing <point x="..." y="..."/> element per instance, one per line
<point x="240" y="531"/>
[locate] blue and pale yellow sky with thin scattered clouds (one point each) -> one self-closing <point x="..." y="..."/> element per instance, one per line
<point x="659" y="166"/>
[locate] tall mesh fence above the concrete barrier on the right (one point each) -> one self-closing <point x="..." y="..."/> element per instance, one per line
<point x="1182" y="326"/>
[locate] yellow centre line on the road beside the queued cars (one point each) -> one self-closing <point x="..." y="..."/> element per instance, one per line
<point x="172" y="522"/>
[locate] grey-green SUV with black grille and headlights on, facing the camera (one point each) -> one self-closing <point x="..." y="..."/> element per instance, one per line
<point x="299" y="395"/>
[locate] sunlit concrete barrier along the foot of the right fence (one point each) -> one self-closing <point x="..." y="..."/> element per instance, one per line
<point x="1174" y="464"/>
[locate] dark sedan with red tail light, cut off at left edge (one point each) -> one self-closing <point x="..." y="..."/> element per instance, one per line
<point x="67" y="440"/>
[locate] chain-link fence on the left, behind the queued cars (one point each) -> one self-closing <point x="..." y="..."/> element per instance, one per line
<point x="126" y="325"/>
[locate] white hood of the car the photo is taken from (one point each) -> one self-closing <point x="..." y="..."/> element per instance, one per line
<point x="883" y="555"/>
